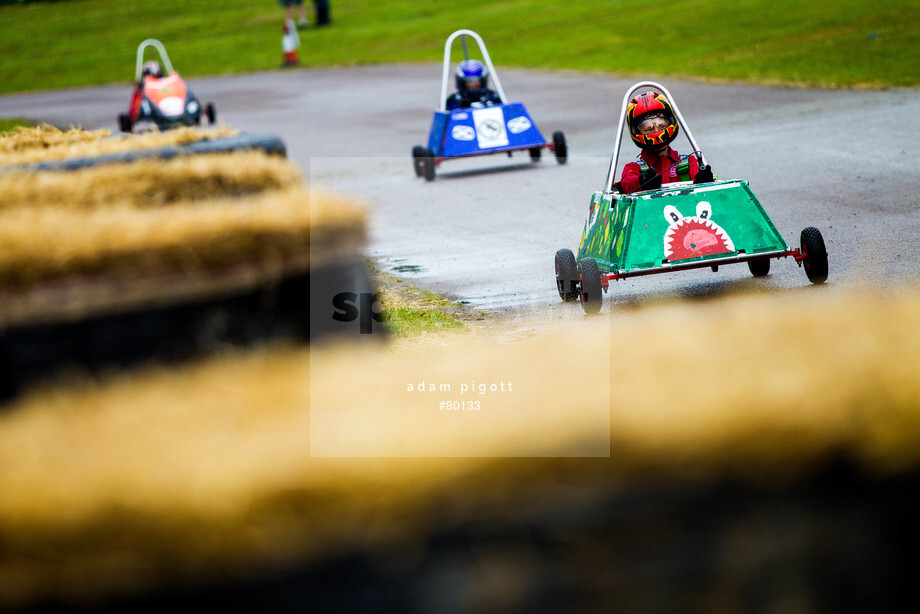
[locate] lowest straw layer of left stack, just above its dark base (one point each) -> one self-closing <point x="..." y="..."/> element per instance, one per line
<point x="57" y="247"/>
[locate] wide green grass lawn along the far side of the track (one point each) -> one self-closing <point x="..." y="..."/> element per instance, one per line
<point x="839" y="43"/>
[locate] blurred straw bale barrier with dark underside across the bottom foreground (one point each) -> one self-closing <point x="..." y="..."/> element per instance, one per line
<point x="763" y="456"/>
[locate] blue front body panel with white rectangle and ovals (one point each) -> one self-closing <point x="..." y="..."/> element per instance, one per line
<point x="483" y="130"/>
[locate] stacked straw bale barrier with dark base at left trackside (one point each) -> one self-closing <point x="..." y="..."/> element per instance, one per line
<point x="140" y="258"/>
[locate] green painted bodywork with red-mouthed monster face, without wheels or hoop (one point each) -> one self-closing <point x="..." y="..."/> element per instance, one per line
<point x="626" y="233"/>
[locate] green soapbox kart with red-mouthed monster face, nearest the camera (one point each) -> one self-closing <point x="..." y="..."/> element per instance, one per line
<point x="677" y="227"/>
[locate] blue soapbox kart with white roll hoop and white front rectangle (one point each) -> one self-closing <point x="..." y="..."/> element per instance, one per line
<point x="481" y="129"/>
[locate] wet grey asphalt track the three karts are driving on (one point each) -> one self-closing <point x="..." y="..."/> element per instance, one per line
<point x="486" y="229"/>
